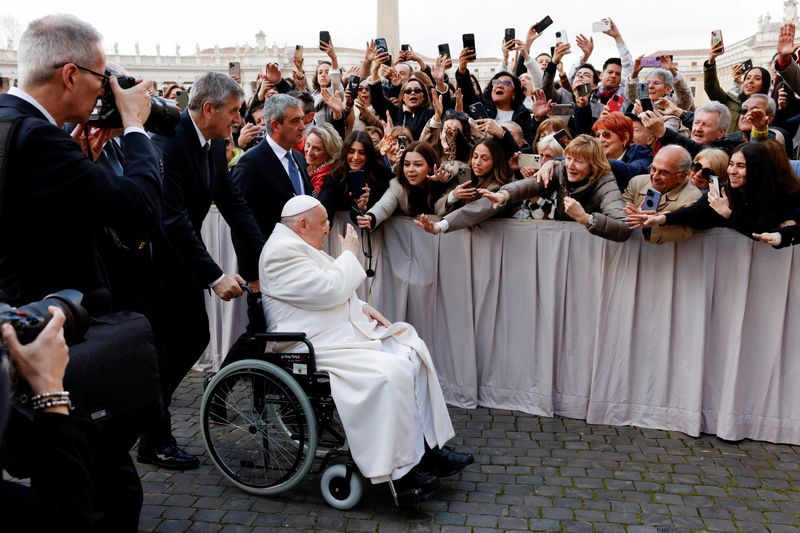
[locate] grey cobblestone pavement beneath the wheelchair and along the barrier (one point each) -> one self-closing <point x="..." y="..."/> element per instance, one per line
<point x="531" y="474"/>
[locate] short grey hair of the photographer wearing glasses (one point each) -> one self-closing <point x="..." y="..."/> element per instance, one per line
<point x="52" y="41"/>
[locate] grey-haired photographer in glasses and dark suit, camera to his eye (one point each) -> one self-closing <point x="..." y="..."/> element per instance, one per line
<point x="55" y="199"/>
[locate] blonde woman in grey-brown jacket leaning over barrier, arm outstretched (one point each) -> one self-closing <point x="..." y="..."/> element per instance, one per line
<point x="583" y="186"/>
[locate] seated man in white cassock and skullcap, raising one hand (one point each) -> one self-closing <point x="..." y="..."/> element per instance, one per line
<point x="382" y="379"/>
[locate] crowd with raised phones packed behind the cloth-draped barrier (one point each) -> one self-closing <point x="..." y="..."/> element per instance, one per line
<point x="399" y="135"/>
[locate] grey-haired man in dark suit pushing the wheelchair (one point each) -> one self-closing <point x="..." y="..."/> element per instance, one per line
<point x="195" y="174"/>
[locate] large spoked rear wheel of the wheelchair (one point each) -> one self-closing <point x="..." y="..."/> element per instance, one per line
<point x="258" y="427"/>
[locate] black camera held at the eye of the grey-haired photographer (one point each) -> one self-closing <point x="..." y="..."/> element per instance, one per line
<point x="164" y="113"/>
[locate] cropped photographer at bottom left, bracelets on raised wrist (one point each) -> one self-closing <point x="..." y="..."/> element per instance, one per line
<point x="61" y="492"/>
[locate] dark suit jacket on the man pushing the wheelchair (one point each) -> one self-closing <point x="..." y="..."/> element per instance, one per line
<point x="180" y="252"/>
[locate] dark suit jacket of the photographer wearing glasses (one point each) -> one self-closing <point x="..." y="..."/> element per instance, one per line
<point x="56" y="199"/>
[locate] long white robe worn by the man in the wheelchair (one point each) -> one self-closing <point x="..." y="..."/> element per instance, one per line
<point x="307" y="290"/>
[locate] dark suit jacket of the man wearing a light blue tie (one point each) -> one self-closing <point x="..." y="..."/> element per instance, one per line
<point x="266" y="186"/>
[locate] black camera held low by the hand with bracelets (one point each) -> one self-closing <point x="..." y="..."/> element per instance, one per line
<point x="29" y="320"/>
